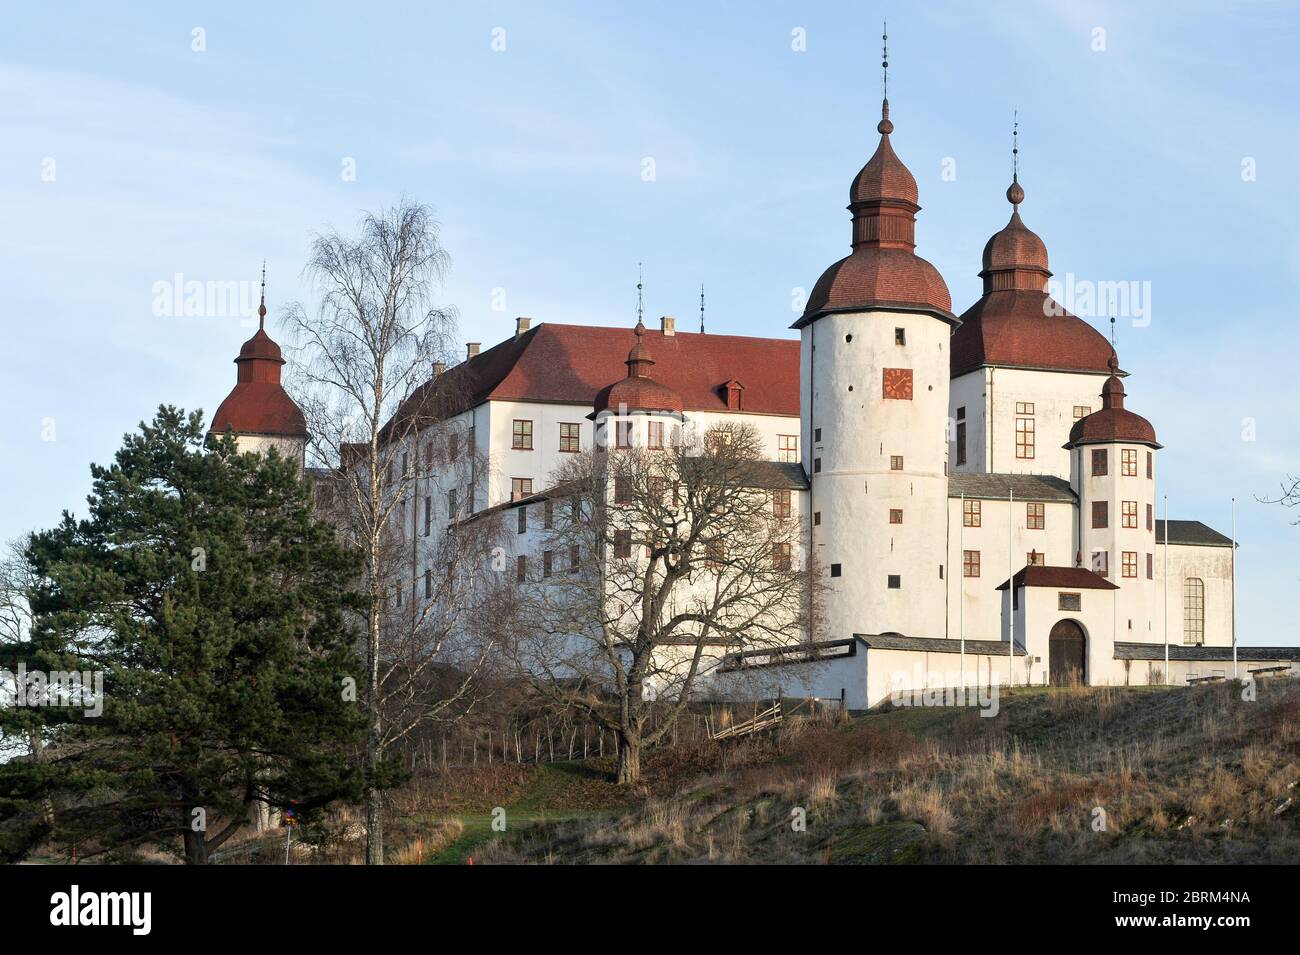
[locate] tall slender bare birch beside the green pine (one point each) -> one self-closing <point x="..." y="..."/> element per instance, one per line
<point x="395" y="467"/>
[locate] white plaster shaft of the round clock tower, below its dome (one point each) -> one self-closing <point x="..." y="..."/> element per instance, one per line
<point x="856" y="488"/>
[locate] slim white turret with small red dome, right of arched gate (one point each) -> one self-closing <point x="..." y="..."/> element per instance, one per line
<point x="1113" y="470"/>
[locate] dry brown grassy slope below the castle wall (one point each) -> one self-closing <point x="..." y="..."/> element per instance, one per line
<point x="1185" y="775"/>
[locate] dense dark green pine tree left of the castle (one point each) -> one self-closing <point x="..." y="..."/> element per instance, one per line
<point x="220" y="614"/>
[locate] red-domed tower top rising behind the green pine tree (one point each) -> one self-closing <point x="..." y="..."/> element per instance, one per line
<point x="259" y="411"/>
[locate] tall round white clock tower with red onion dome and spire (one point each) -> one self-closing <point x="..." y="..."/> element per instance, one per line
<point x="874" y="409"/>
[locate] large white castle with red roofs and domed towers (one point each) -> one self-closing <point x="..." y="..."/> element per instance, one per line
<point x="974" y="488"/>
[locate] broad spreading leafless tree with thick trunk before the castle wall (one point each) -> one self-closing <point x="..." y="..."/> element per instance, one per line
<point x="660" y="561"/>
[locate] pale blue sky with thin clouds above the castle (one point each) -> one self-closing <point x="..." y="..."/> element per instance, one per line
<point x="562" y="145"/>
